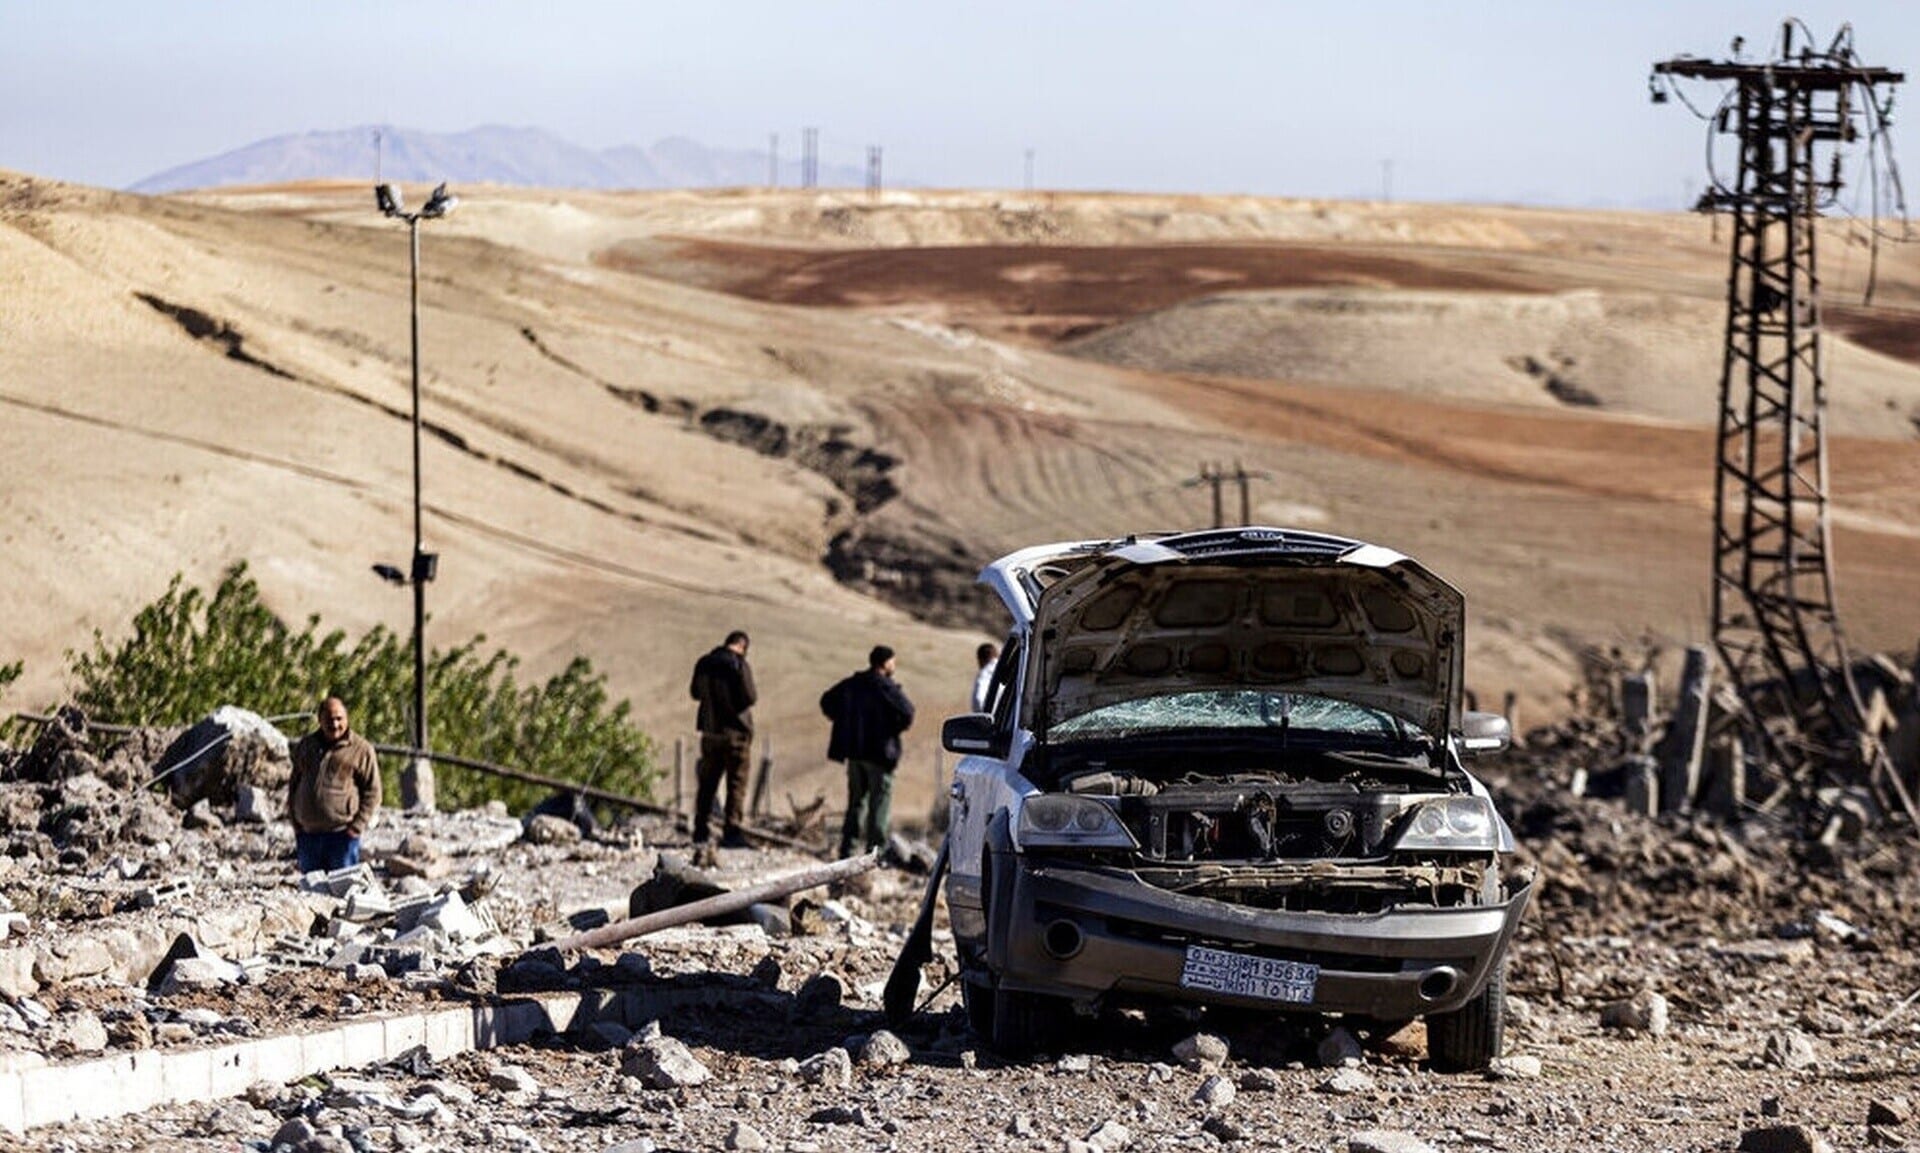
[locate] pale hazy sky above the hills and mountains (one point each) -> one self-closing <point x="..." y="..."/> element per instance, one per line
<point x="1525" y="101"/>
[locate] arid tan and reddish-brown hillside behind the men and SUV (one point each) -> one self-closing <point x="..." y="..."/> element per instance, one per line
<point x="815" y="415"/>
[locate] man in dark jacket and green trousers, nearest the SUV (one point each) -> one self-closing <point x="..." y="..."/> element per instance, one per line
<point x="869" y="713"/>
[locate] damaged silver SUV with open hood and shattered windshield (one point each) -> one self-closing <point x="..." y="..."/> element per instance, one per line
<point x="1224" y="768"/>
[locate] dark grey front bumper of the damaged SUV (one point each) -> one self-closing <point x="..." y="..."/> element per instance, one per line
<point x="1128" y="937"/>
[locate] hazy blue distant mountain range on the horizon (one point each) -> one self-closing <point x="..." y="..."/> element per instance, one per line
<point x="491" y="154"/>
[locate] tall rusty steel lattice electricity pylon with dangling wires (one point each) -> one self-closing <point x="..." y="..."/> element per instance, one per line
<point x="1775" y="619"/>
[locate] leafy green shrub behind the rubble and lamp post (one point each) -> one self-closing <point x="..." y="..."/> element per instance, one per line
<point x="191" y="653"/>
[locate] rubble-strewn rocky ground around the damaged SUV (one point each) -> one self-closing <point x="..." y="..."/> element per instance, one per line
<point x="1681" y="985"/>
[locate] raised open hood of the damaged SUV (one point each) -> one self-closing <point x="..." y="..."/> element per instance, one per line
<point x="1237" y="609"/>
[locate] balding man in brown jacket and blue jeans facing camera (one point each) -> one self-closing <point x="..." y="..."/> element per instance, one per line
<point x="335" y="793"/>
